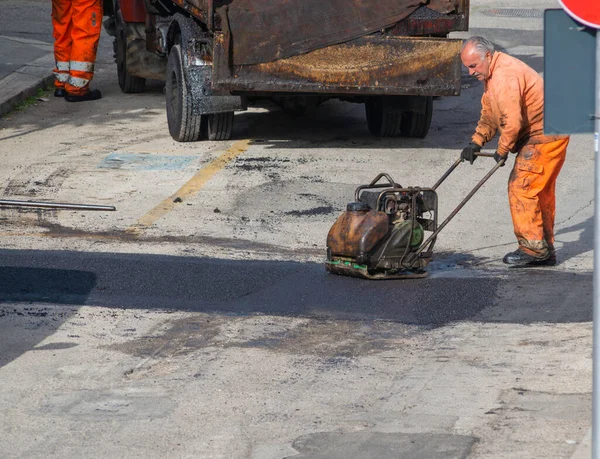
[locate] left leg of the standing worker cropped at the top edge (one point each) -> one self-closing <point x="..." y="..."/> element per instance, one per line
<point x="61" y="31"/>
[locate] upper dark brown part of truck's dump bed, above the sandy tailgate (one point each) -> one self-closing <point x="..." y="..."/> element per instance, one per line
<point x="260" y="31"/>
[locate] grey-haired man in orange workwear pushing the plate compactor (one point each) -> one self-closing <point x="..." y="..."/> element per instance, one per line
<point x="513" y="105"/>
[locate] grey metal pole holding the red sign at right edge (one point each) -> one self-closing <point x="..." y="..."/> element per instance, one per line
<point x="596" y="314"/>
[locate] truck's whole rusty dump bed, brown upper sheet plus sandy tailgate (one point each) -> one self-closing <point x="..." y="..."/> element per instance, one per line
<point x="352" y="47"/>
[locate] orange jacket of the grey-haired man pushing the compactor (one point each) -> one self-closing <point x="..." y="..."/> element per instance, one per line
<point x="513" y="104"/>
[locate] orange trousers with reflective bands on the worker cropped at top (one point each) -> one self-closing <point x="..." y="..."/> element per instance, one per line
<point x="77" y="25"/>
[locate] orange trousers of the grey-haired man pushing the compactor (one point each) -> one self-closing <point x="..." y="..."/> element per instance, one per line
<point x="531" y="194"/>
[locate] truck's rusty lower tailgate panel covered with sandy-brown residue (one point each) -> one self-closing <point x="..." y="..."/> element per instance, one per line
<point x="368" y="66"/>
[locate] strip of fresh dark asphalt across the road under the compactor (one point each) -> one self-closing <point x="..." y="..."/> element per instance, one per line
<point x="135" y="281"/>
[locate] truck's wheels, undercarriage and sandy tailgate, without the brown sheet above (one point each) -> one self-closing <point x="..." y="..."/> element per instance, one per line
<point x="395" y="72"/>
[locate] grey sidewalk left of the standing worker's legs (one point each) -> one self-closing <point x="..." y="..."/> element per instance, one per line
<point x="25" y="66"/>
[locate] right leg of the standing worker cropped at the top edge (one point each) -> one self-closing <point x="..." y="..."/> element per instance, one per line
<point x="85" y="33"/>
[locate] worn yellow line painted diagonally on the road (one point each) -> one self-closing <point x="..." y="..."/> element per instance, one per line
<point x="193" y="186"/>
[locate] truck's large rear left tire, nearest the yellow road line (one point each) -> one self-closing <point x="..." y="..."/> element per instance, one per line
<point x="184" y="125"/>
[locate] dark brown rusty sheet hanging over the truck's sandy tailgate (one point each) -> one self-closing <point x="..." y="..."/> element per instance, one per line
<point x="265" y="30"/>
